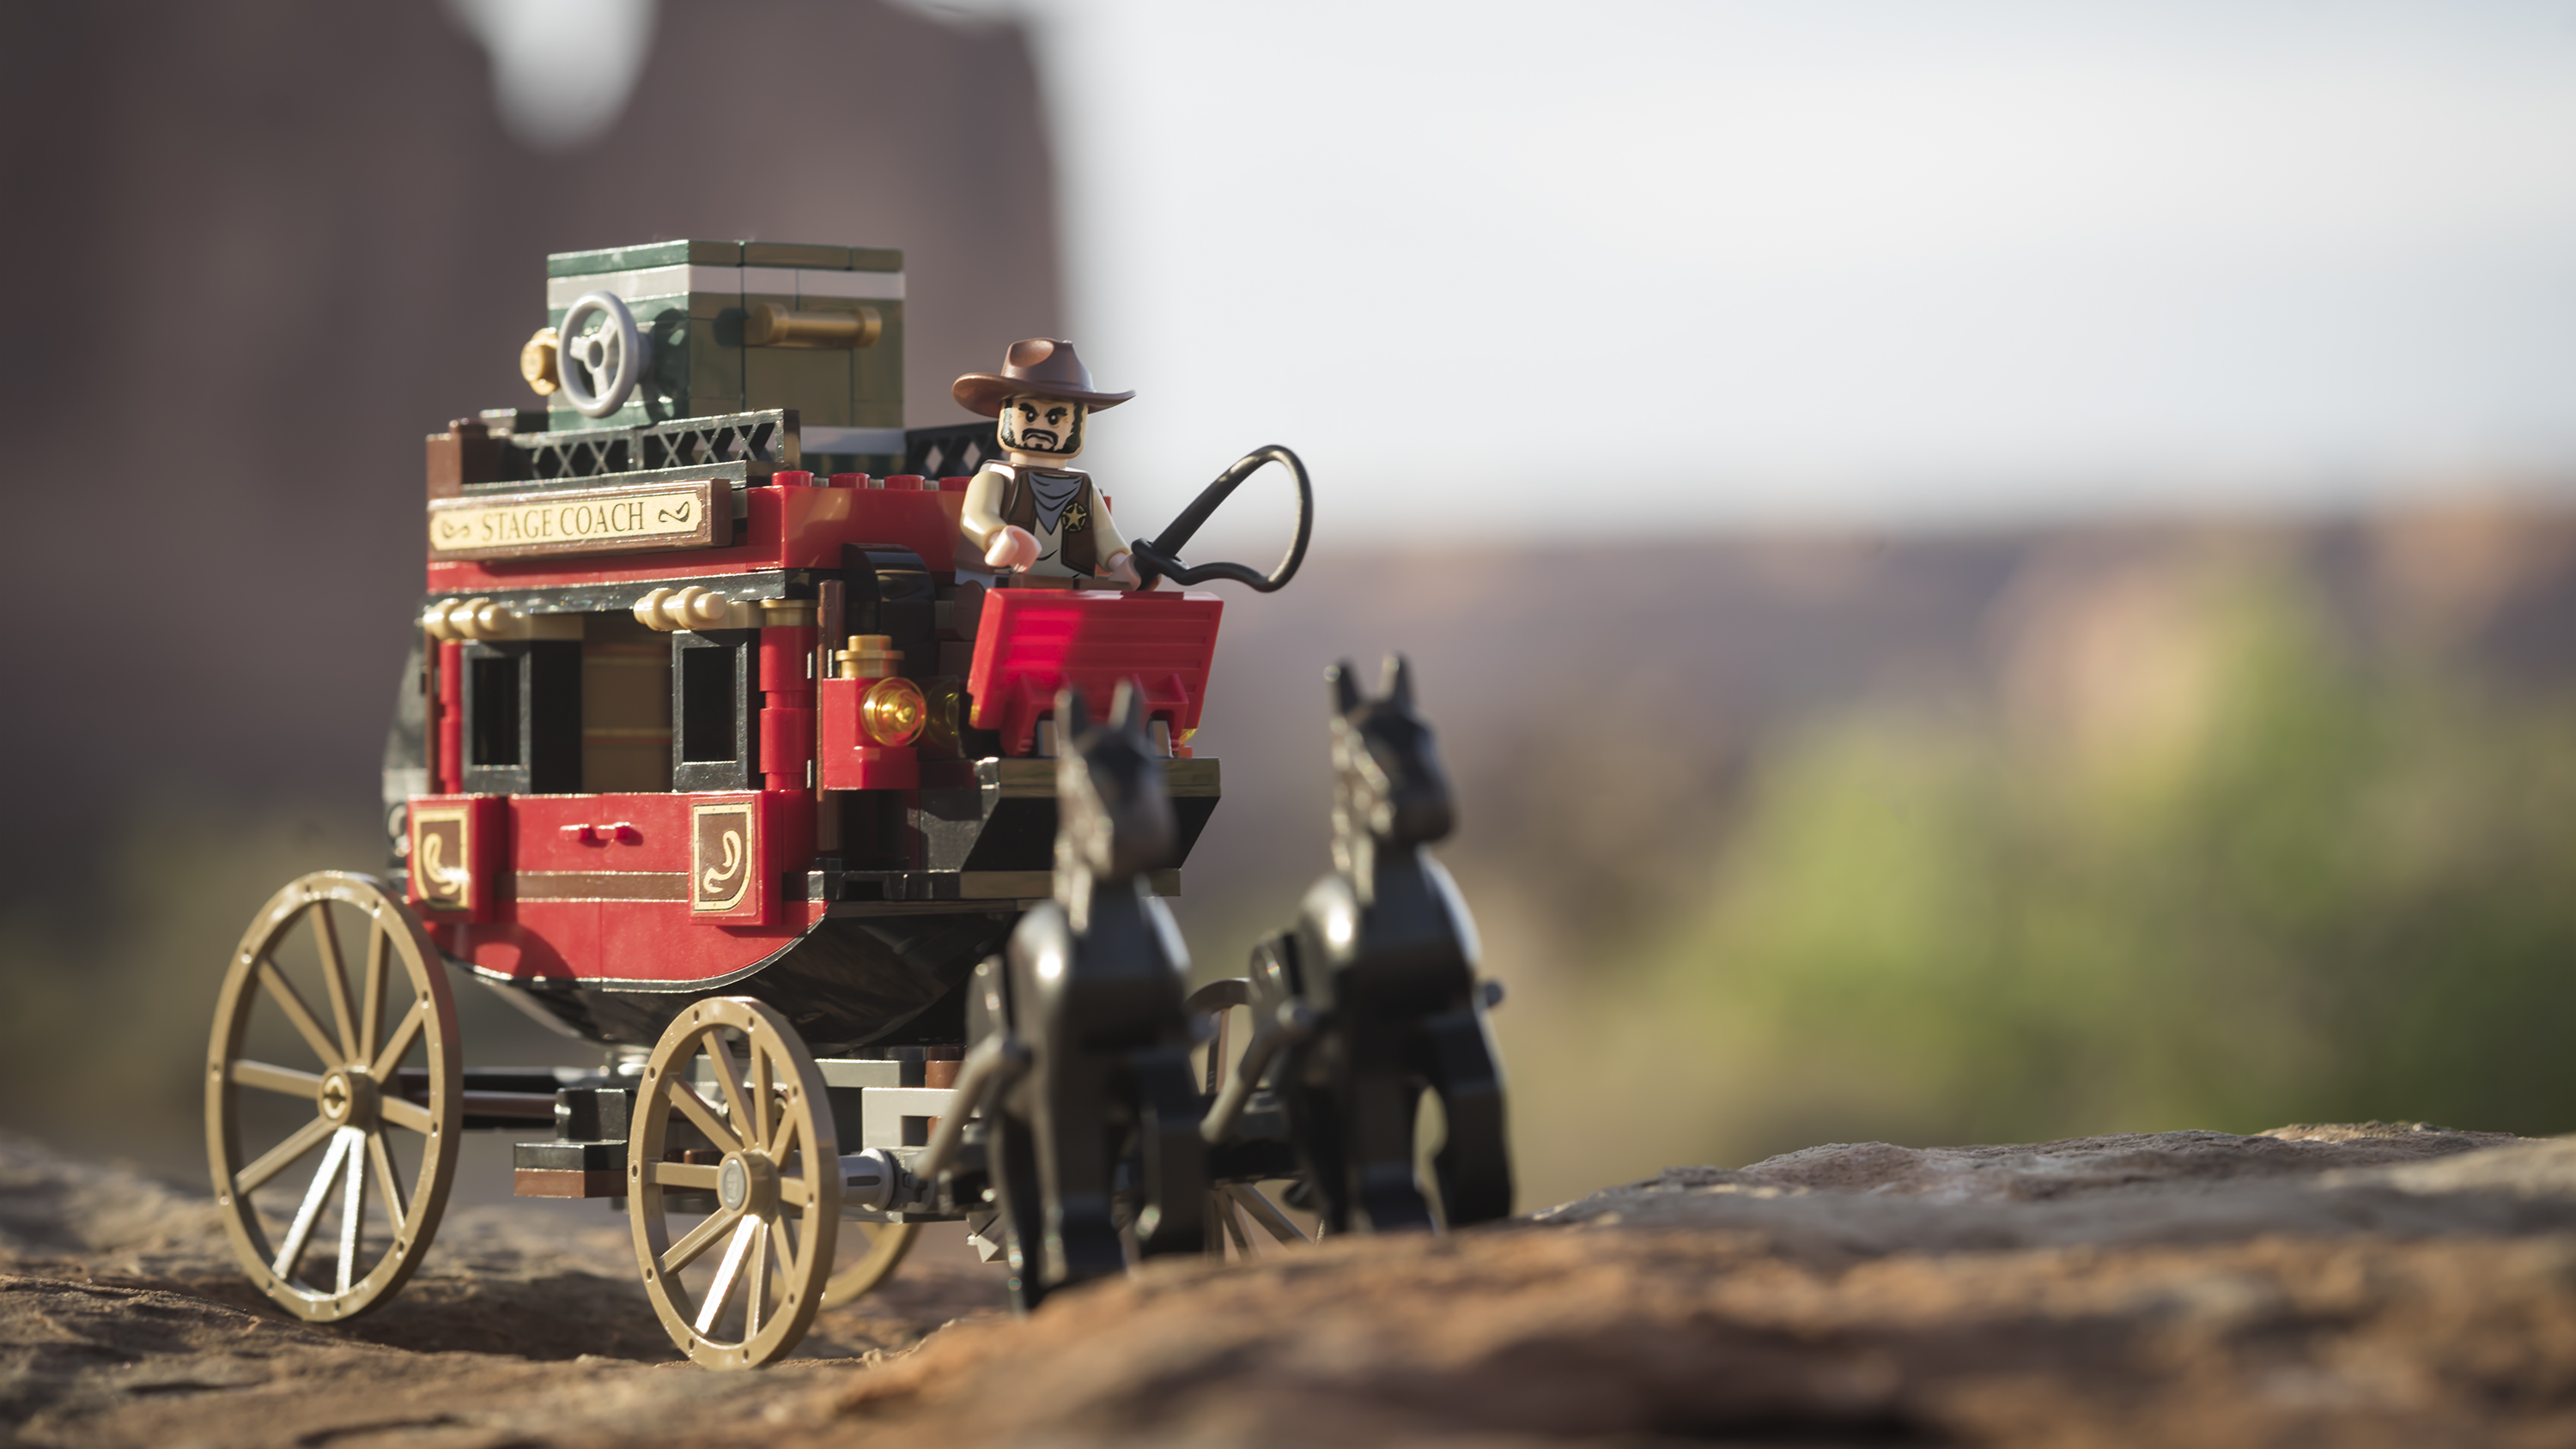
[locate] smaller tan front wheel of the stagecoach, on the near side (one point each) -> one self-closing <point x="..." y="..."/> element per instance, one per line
<point x="733" y="1129"/>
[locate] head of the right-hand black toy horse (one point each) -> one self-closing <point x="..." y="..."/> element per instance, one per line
<point x="1390" y="789"/>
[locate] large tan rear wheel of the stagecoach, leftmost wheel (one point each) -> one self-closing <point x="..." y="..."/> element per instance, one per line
<point x="385" y="1093"/>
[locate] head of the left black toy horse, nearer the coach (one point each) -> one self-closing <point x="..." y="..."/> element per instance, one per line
<point x="1112" y="807"/>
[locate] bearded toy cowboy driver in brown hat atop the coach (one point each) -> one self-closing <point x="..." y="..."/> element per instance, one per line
<point x="1032" y="513"/>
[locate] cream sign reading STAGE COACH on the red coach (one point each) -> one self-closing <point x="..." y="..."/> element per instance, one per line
<point x="583" y="521"/>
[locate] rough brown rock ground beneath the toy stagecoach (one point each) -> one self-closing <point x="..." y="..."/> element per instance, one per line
<point x="2315" y="1286"/>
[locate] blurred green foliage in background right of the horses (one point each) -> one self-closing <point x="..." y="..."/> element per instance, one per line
<point x="2204" y="869"/>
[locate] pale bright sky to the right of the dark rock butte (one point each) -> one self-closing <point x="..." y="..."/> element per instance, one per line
<point x="1825" y="259"/>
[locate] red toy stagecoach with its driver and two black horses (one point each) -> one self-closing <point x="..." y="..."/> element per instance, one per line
<point x="741" y="743"/>
